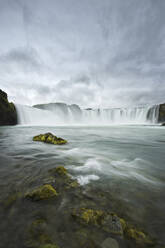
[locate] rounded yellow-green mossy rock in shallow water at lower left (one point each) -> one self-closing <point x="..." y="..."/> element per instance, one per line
<point x="42" y="193"/>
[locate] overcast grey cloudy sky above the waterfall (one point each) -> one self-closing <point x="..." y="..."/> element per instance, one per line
<point x="94" y="53"/>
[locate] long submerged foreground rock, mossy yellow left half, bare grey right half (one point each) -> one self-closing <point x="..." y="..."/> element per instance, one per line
<point x="109" y="222"/>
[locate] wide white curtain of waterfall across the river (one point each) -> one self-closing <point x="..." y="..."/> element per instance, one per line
<point x="70" y="115"/>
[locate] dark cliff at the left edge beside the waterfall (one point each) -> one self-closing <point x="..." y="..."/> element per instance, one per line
<point x="8" y="114"/>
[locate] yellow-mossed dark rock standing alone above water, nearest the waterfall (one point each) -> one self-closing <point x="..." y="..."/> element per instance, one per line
<point x="49" y="138"/>
